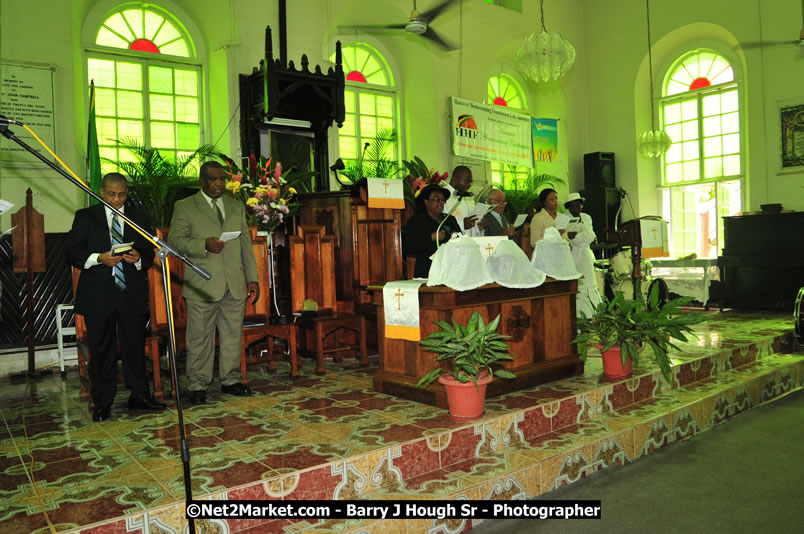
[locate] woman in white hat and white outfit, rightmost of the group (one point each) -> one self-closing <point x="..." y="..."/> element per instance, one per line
<point x="582" y="234"/>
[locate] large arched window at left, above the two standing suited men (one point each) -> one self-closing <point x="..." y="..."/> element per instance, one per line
<point x="147" y="82"/>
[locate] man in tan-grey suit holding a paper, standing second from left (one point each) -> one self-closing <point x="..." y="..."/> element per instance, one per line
<point x="195" y="230"/>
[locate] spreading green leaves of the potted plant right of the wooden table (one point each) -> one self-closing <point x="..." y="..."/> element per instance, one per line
<point x="634" y="325"/>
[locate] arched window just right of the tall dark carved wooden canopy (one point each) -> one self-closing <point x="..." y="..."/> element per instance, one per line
<point x="370" y="100"/>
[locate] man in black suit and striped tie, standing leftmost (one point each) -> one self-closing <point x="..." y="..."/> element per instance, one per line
<point x="112" y="294"/>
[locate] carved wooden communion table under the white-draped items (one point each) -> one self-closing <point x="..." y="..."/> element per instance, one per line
<point x="540" y="321"/>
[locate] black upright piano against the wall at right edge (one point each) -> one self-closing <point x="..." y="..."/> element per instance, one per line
<point x="762" y="265"/>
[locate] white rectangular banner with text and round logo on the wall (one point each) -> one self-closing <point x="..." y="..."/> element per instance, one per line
<point x="492" y="133"/>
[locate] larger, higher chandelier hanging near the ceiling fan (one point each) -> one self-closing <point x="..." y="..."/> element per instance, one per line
<point x="546" y="56"/>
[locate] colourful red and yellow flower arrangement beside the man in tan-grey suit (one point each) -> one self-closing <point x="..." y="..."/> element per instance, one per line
<point x="264" y="191"/>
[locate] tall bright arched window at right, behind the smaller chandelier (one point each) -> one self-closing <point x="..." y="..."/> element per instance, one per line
<point x="700" y="107"/>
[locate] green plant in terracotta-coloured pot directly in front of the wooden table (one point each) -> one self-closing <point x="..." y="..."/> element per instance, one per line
<point x="472" y="352"/>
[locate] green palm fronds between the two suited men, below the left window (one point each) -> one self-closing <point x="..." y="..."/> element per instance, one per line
<point x="154" y="180"/>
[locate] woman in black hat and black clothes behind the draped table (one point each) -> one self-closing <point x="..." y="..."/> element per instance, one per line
<point x="421" y="232"/>
